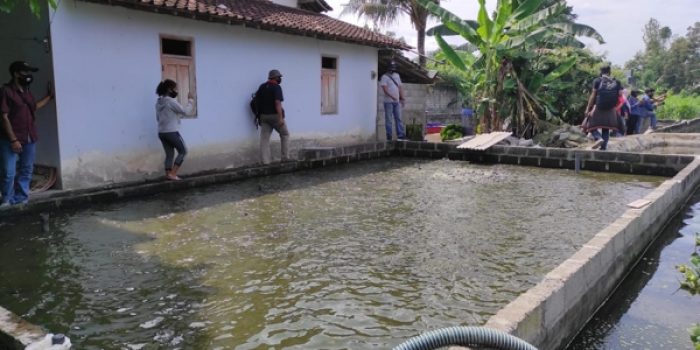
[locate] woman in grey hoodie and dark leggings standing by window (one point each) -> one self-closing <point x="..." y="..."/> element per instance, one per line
<point x="168" y="114"/>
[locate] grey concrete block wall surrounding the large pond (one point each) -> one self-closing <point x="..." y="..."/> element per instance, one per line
<point x="548" y="315"/>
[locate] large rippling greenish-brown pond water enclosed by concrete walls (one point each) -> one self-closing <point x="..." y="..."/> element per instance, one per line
<point x="361" y="256"/>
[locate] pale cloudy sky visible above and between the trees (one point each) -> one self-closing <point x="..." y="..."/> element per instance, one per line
<point x="620" y="22"/>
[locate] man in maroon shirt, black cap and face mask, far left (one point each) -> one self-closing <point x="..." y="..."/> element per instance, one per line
<point x="18" y="137"/>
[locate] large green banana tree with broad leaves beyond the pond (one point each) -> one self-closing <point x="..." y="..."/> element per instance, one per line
<point x="518" y="31"/>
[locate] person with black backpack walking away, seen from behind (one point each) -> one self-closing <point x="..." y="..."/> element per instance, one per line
<point x="601" y="110"/>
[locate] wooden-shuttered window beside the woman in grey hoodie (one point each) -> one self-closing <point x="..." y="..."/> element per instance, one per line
<point x="177" y="63"/>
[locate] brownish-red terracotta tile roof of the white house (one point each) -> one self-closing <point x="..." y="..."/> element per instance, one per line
<point x="264" y="15"/>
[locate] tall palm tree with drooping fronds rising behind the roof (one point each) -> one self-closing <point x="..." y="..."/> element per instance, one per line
<point x="386" y="12"/>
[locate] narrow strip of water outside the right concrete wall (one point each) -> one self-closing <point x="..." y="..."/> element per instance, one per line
<point x="648" y="311"/>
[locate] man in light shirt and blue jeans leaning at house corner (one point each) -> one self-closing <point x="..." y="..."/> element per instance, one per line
<point x="393" y="102"/>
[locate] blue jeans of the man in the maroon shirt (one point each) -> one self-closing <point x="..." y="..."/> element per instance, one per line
<point x="16" y="172"/>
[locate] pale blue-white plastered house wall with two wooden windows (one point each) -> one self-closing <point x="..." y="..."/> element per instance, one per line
<point x="107" y="65"/>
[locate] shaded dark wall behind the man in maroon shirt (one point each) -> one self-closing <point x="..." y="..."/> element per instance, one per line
<point x="22" y="38"/>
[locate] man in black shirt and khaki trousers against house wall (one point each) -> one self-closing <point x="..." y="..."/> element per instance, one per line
<point x="272" y="116"/>
